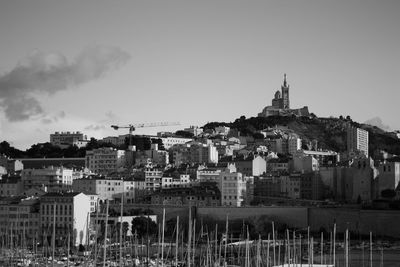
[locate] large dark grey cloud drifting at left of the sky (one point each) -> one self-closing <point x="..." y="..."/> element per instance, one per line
<point x="49" y="73"/>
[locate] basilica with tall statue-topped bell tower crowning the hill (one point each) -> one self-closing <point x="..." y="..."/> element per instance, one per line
<point x="281" y="104"/>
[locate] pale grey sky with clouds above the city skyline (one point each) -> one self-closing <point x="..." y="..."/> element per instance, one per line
<point x="84" y="65"/>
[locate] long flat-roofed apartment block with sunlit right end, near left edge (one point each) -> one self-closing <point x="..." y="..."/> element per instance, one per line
<point x="52" y="178"/>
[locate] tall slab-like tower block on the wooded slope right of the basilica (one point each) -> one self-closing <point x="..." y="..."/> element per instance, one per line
<point x="357" y="140"/>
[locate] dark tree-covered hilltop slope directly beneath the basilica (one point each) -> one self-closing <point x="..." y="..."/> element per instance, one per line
<point x="329" y="132"/>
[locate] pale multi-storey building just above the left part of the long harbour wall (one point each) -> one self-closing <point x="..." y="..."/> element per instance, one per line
<point x="233" y="189"/>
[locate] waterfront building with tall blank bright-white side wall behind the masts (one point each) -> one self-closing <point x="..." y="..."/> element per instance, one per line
<point x="72" y="216"/>
